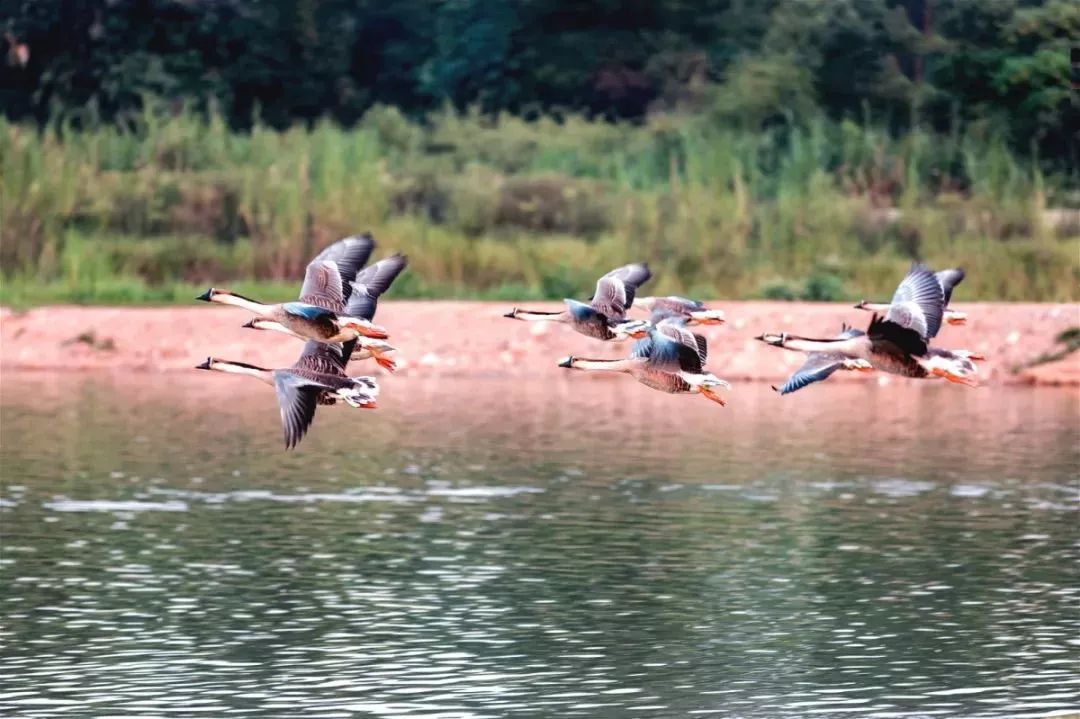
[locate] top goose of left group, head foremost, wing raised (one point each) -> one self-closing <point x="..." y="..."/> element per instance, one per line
<point x="320" y="313"/>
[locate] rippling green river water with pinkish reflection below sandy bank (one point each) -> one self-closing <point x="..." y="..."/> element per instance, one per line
<point x="487" y="549"/>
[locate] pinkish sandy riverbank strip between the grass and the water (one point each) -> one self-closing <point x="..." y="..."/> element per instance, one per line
<point x="461" y="338"/>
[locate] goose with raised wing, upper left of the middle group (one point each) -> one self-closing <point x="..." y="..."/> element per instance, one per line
<point x="615" y="294"/>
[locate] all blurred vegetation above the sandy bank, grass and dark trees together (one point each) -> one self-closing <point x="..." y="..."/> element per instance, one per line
<point x="778" y="150"/>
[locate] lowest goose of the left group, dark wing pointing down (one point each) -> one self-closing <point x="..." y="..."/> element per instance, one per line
<point x="317" y="378"/>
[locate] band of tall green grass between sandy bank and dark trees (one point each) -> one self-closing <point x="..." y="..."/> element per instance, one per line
<point x="499" y="207"/>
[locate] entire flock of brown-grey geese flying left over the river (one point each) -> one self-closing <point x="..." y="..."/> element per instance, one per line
<point x="335" y="311"/>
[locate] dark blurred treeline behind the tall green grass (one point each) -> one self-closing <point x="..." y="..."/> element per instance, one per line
<point x="1000" y="67"/>
